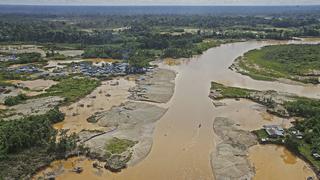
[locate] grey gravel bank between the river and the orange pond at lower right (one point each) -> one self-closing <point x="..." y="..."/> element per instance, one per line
<point x="230" y="158"/>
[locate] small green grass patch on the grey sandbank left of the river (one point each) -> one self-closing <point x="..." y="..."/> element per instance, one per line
<point x="118" y="146"/>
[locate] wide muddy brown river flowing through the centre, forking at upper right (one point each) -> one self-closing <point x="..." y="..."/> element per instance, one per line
<point x="181" y="150"/>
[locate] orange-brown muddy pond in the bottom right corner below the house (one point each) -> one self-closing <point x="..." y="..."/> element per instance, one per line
<point x="276" y="162"/>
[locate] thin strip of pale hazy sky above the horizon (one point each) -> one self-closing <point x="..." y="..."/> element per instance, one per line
<point x="162" y="2"/>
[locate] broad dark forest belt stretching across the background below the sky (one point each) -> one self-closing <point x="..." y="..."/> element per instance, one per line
<point x="150" y="36"/>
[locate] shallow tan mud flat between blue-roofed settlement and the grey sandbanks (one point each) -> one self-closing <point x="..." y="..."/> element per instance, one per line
<point x="102" y="98"/>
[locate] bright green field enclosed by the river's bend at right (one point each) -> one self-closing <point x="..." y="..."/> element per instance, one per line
<point x="283" y="61"/>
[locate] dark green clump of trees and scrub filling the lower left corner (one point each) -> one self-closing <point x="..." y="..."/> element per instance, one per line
<point x="31" y="142"/>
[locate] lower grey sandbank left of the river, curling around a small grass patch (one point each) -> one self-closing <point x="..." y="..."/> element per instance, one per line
<point x="132" y="121"/>
